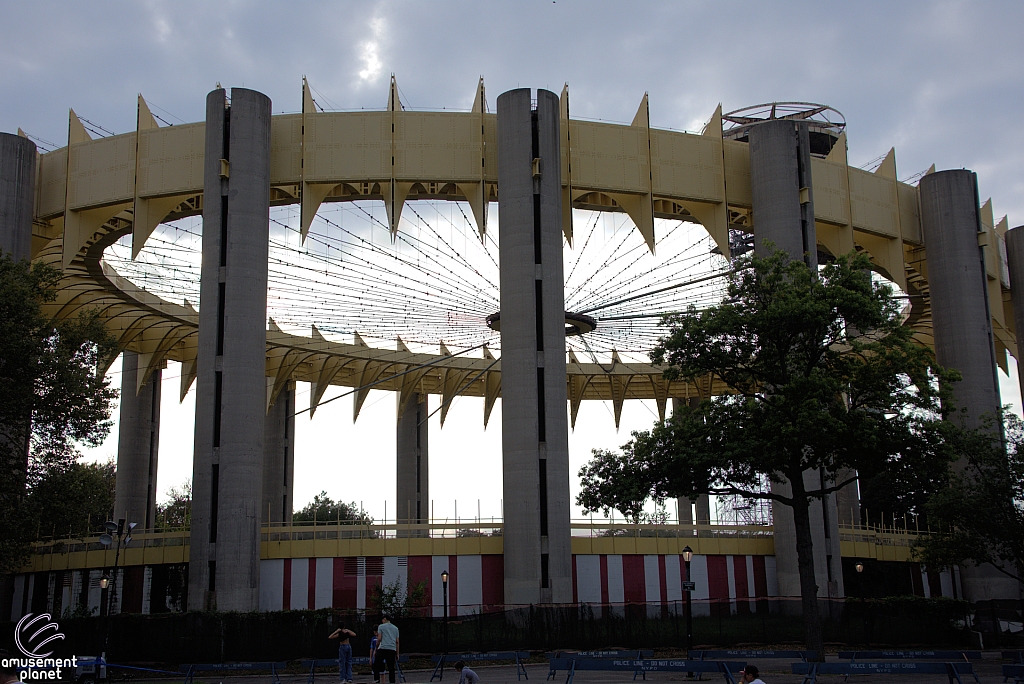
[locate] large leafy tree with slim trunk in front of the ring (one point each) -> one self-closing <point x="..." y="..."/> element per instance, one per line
<point x="806" y="392"/>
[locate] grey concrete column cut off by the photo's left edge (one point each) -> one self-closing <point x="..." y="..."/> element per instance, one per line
<point x="18" y="195"/>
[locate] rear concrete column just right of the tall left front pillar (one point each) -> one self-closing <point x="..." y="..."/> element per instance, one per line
<point x="279" y="460"/>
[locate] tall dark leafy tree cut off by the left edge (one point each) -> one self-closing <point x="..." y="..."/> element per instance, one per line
<point x="55" y="398"/>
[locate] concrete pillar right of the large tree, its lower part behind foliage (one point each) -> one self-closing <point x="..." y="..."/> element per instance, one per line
<point x="962" y="322"/>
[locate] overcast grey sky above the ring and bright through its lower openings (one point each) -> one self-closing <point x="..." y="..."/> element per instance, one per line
<point x="942" y="81"/>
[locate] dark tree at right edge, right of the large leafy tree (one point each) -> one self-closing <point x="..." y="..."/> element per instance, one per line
<point x="979" y="516"/>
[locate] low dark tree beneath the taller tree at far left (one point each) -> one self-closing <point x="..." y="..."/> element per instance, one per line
<point x="75" y="499"/>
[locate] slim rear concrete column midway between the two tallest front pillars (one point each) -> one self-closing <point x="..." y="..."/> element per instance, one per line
<point x="412" y="488"/>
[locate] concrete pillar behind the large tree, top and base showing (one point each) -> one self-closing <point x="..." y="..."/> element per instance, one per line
<point x="784" y="216"/>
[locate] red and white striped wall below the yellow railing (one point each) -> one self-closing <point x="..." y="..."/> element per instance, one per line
<point x="477" y="583"/>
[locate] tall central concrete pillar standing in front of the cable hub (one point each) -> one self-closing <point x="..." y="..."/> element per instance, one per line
<point x="535" y="427"/>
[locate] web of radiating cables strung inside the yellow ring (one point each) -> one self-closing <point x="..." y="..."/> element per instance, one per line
<point x="437" y="283"/>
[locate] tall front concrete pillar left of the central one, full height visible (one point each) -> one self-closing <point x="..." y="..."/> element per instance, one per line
<point x="231" y="390"/>
